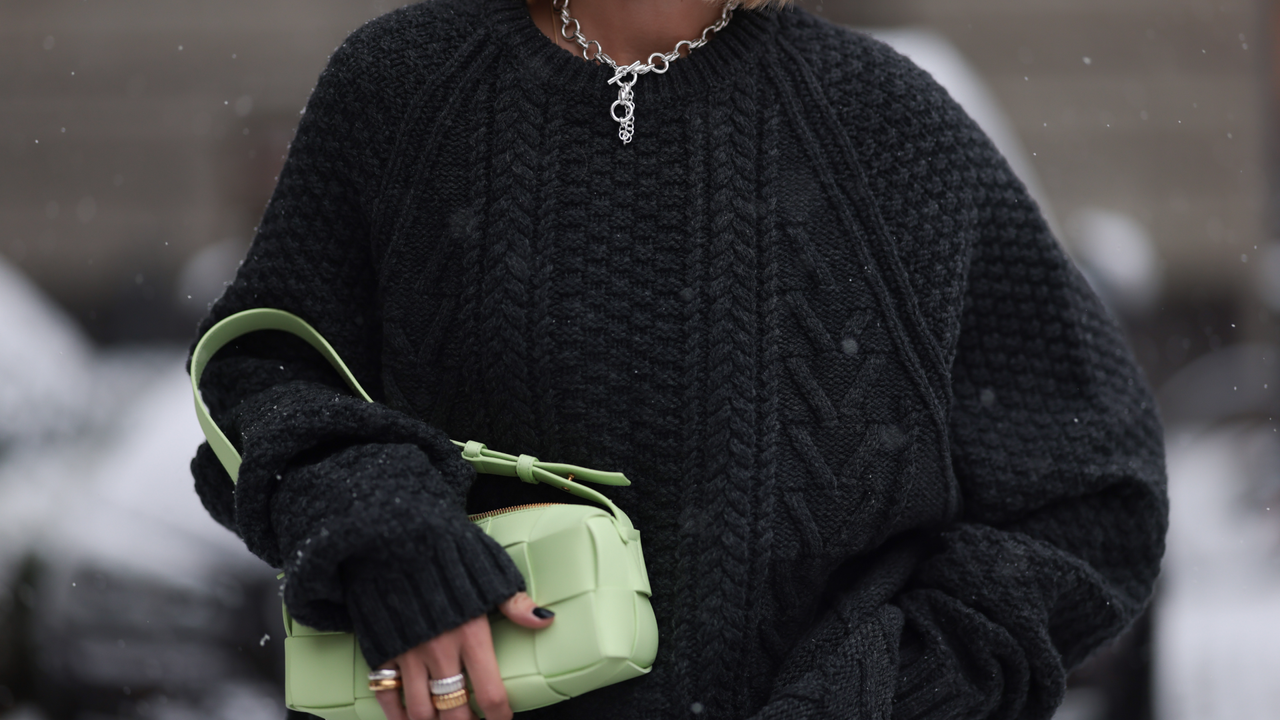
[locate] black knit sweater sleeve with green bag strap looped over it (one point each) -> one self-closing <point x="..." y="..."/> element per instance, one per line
<point x="363" y="507"/>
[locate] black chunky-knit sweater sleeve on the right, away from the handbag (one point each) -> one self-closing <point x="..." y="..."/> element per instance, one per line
<point x="1058" y="452"/>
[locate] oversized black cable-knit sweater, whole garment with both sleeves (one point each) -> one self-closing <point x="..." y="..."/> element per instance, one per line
<point x="889" y="454"/>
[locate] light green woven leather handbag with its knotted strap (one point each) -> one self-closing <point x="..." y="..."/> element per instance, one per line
<point x="582" y="562"/>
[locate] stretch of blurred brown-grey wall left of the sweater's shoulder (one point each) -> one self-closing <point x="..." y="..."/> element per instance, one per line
<point x="135" y="134"/>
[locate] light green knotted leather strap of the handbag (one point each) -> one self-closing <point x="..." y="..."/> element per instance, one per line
<point x="484" y="461"/>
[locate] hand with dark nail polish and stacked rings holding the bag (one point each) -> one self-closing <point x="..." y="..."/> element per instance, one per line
<point x="470" y="648"/>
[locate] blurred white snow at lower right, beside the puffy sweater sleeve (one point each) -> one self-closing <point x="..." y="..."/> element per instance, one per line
<point x="1218" y="616"/>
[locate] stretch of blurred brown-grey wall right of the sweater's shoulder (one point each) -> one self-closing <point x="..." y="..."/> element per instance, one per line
<point x="1155" y="108"/>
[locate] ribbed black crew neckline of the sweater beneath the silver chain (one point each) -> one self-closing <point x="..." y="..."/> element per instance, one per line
<point x="730" y="52"/>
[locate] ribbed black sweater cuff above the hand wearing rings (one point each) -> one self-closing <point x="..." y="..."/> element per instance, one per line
<point x="397" y="607"/>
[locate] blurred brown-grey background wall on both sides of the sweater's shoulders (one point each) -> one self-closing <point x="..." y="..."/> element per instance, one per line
<point x="135" y="134"/>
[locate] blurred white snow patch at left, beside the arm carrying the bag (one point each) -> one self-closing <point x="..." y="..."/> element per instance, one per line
<point x="94" y="452"/>
